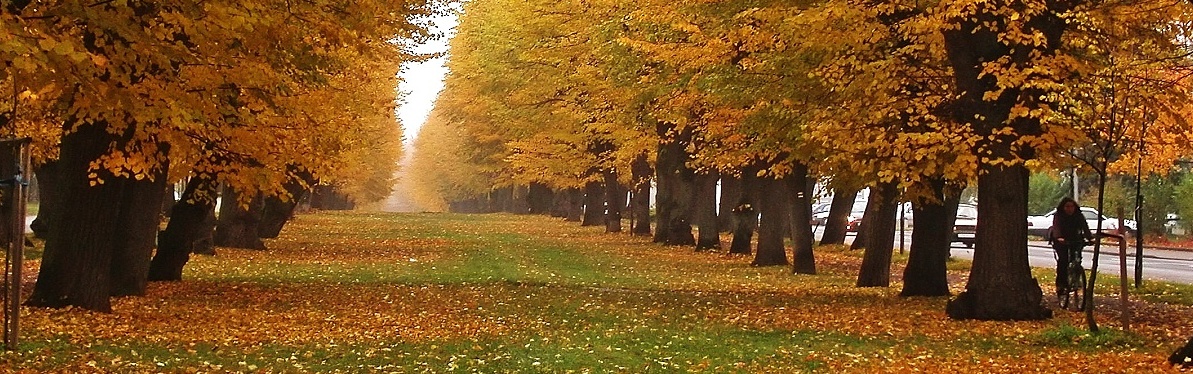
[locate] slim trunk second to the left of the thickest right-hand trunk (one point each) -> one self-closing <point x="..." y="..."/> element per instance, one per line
<point x="876" y="263"/>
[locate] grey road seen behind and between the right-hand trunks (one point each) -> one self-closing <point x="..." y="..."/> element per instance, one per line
<point x="1158" y="265"/>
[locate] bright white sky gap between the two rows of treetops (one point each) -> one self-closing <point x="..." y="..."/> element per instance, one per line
<point x="422" y="83"/>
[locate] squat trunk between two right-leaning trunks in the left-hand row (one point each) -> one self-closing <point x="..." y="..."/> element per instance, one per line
<point x="237" y="228"/>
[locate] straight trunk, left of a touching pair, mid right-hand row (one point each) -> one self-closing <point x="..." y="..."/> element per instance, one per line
<point x="775" y="207"/>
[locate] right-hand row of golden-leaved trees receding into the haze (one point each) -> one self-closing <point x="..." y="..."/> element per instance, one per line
<point x="584" y="109"/>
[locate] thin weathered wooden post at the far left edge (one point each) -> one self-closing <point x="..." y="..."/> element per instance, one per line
<point x="14" y="169"/>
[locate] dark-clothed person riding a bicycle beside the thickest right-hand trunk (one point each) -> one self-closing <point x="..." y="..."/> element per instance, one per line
<point x="1068" y="235"/>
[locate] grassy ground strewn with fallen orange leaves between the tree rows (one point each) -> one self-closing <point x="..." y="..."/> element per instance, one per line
<point x="356" y="292"/>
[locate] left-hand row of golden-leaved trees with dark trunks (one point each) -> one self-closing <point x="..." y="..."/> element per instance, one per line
<point x="262" y="100"/>
